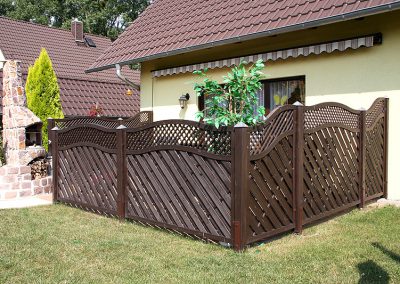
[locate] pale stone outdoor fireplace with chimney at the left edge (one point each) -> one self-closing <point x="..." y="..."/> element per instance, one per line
<point x="15" y="177"/>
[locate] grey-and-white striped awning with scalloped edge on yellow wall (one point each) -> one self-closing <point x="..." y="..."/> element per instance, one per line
<point x="329" y="47"/>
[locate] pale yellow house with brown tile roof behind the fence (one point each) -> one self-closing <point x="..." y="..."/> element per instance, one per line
<point x="345" y="51"/>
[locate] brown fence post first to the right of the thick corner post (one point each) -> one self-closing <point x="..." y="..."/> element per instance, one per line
<point x="298" y="157"/>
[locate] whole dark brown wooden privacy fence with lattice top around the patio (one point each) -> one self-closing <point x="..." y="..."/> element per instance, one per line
<point x="237" y="185"/>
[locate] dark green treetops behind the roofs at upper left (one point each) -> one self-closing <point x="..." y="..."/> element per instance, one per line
<point x="103" y="17"/>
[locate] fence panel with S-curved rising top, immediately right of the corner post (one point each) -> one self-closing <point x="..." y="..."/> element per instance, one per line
<point x="270" y="210"/>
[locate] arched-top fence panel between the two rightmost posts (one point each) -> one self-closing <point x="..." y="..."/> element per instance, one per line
<point x="331" y="160"/>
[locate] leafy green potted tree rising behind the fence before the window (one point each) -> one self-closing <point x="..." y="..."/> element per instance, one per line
<point x="235" y="100"/>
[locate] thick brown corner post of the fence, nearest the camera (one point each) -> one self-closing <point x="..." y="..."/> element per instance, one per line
<point x="240" y="191"/>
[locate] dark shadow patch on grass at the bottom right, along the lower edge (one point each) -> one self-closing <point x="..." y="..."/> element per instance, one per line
<point x="370" y="272"/>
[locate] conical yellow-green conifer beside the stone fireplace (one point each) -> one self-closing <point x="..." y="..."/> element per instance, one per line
<point x="43" y="93"/>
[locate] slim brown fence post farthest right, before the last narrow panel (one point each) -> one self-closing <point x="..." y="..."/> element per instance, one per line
<point x="362" y="159"/>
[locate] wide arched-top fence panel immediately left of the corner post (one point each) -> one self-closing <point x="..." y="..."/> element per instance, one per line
<point x="179" y="177"/>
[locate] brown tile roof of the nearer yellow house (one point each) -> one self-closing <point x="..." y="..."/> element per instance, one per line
<point x="173" y="26"/>
